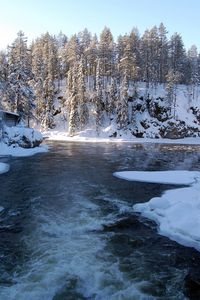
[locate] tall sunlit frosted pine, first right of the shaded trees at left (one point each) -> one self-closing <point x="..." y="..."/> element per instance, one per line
<point x="45" y="67"/>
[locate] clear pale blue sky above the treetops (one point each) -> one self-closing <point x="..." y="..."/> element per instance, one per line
<point x="35" y="17"/>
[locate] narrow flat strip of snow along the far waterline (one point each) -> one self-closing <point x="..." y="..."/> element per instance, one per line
<point x="90" y="136"/>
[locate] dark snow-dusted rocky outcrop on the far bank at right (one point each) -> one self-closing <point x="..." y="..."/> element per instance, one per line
<point x="152" y="118"/>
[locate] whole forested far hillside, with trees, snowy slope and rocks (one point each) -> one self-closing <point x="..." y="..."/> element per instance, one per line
<point x="142" y="86"/>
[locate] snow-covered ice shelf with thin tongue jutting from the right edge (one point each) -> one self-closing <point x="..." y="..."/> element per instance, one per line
<point x="177" y="212"/>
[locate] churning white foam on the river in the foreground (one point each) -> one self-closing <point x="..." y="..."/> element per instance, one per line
<point x="66" y="247"/>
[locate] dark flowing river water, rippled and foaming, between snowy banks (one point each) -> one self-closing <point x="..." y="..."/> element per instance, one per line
<point x="68" y="231"/>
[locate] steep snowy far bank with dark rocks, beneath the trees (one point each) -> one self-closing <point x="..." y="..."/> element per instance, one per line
<point x="149" y="115"/>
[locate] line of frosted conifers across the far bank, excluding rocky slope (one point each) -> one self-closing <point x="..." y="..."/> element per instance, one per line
<point x="95" y="73"/>
